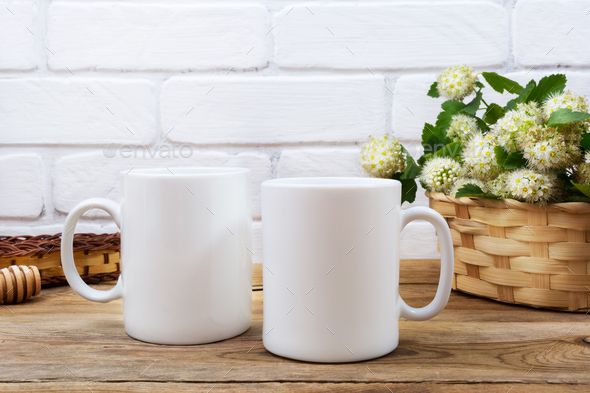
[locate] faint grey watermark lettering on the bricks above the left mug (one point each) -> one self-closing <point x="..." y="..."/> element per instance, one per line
<point x="164" y="150"/>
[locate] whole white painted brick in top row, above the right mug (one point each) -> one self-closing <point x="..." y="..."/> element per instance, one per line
<point x="391" y="36"/>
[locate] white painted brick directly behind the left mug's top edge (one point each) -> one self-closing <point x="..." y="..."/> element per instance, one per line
<point x="82" y="176"/>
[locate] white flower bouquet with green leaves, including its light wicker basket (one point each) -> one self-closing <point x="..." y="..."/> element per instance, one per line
<point x="512" y="181"/>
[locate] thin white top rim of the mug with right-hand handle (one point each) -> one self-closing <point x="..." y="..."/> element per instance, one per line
<point x="345" y="182"/>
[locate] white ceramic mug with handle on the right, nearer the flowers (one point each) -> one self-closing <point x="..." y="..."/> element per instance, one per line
<point x="331" y="267"/>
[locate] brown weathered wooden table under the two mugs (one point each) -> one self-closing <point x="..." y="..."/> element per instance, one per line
<point x="59" y="341"/>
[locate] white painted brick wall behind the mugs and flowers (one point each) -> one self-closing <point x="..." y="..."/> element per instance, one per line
<point x="284" y="88"/>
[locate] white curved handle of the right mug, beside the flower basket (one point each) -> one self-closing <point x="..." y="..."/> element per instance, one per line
<point x="446" y="269"/>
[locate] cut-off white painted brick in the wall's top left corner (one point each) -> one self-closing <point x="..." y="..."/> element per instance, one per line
<point x="18" y="26"/>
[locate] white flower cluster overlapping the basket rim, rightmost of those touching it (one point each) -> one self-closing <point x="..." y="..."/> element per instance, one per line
<point x="529" y="186"/>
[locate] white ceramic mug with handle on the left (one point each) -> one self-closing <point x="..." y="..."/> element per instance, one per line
<point x="185" y="253"/>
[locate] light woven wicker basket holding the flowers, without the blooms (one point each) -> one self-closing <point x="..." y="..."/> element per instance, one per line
<point x="519" y="253"/>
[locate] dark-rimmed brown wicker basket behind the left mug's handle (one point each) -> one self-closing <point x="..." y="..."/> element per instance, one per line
<point x="96" y="256"/>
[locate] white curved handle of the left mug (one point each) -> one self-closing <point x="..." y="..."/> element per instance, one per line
<point x="67" y="250"/>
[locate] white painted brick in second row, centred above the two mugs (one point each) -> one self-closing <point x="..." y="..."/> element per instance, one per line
<point x="273" y="109"/>
